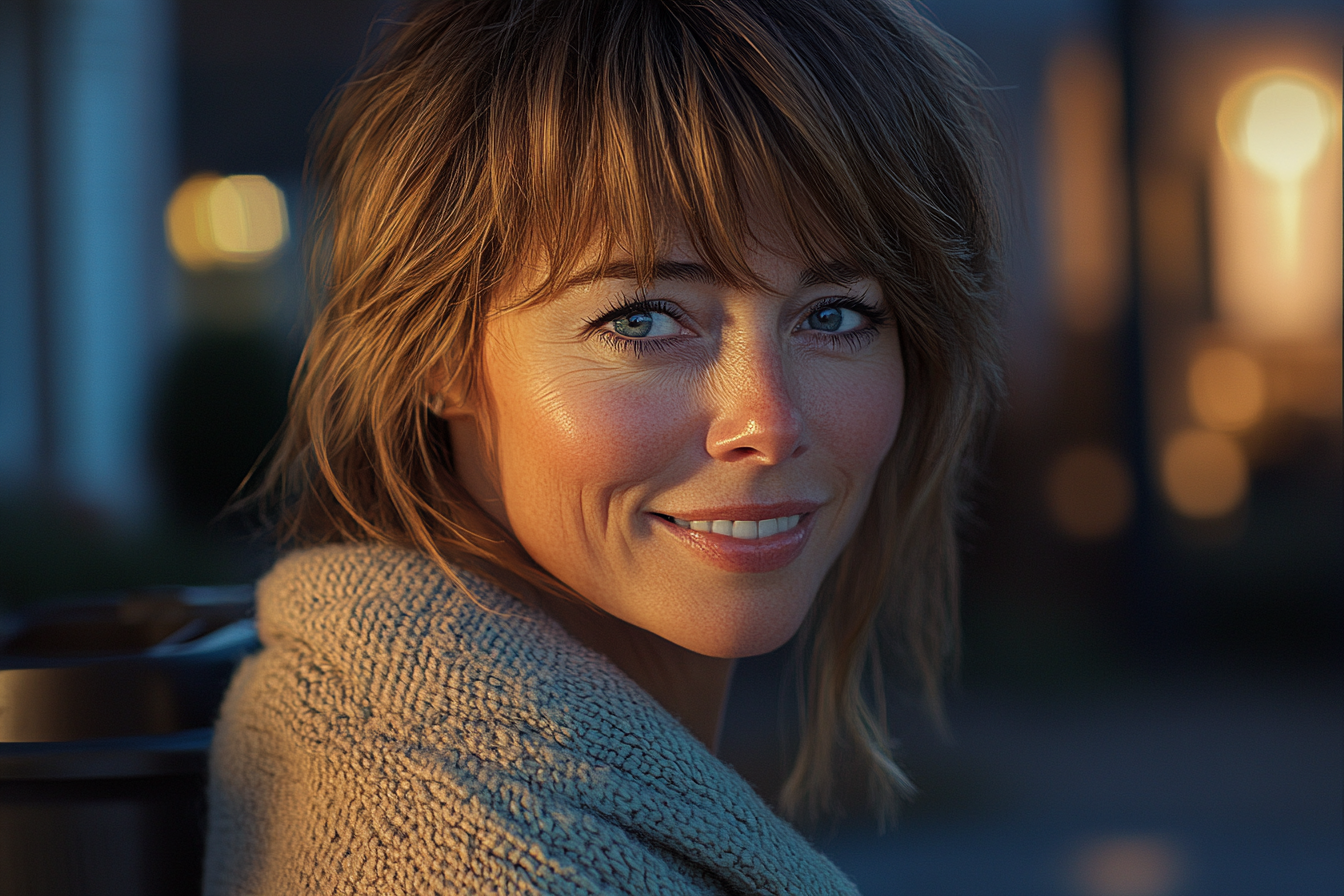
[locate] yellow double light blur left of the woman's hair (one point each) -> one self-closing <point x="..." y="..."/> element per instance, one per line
<point x="235" y="221"/>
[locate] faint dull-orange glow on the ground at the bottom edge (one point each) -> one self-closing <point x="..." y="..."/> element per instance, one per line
<point x="1130" y="867"/>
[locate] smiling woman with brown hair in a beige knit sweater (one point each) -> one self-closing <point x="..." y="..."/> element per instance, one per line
<point x="654" y="334"/>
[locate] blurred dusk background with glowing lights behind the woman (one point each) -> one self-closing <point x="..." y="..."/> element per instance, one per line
<point x="1151" y="691"/>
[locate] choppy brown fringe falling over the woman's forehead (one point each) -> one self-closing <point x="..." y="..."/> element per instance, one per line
<point x="611" y="140"/>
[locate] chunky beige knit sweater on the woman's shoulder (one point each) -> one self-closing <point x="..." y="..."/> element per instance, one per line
<point x="394" y="737"/>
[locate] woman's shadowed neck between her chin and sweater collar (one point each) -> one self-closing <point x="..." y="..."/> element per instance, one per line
<point x="690" y="686"/>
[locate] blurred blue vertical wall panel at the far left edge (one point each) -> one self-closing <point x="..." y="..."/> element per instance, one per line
<point x="100" y="73"/>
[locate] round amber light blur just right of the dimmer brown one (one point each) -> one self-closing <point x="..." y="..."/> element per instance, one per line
<point x="1205" y="475"/>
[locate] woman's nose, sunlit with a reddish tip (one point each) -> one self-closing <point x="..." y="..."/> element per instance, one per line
<point x="756" y="414"/>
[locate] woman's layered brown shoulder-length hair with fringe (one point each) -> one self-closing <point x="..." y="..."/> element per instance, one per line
<point x="483" y="132"/>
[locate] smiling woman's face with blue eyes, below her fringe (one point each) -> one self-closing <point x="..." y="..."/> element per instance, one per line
<point x="690" y="457"/>
